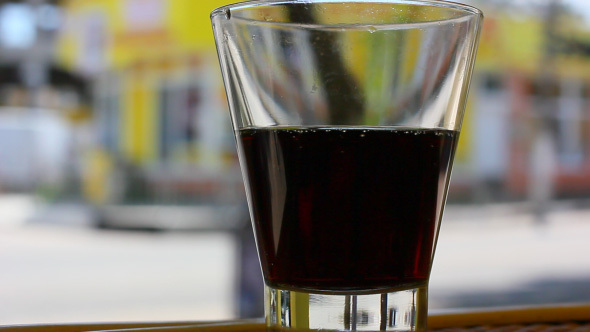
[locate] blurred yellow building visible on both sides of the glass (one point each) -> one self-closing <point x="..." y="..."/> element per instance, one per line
<point x="160" y="110"/>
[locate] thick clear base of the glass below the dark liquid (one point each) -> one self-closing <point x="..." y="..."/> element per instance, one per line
<point x="399" y="310"/>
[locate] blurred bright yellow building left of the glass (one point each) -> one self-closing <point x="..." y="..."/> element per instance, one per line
<point x="162" y="129"/>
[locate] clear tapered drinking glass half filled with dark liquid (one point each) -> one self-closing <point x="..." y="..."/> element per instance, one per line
<point x="346" y="115"/>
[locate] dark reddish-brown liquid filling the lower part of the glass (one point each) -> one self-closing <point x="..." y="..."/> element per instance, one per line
<point x="346" y="209"/>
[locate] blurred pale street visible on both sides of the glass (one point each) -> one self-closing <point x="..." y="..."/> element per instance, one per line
<point x="68" y="271"/>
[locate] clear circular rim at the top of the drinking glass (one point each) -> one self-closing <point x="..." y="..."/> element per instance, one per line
<point x="469" y="12"/>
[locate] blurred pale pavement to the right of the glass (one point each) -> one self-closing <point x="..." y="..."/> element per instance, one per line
<point x="501" y="255"/>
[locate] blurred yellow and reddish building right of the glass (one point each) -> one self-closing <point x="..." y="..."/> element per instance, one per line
<point x="528" y="125"/>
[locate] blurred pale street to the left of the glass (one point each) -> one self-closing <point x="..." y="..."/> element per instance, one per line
<point x="68" y="271"/>
